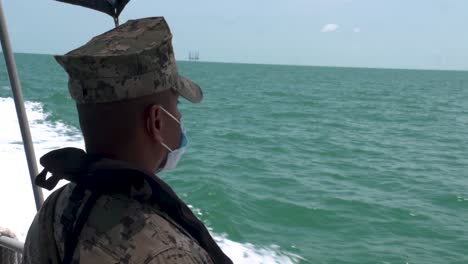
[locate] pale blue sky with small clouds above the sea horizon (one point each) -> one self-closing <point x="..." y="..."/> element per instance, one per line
<point x="415" y="34"/>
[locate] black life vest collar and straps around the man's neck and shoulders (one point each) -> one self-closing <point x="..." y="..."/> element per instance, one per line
<point x="76" y="166"/>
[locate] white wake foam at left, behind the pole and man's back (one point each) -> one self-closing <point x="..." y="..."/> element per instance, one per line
<point x="17" y="206"/>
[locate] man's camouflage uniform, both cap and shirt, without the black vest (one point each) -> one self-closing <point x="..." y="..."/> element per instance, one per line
<point x="130" y="61"/>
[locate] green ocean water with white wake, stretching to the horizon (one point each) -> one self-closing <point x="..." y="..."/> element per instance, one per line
<point x="291" y="164"/>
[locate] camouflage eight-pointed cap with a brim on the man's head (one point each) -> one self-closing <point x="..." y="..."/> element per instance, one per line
<point x="133" y="60"/>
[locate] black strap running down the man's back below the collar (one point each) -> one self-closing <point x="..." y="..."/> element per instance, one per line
<point x="73" y="222"/>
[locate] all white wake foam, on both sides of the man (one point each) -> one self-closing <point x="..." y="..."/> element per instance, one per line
<point x="17" y="207"/>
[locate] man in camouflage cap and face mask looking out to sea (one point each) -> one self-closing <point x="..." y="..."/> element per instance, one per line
<point x="115" y="210"/>
